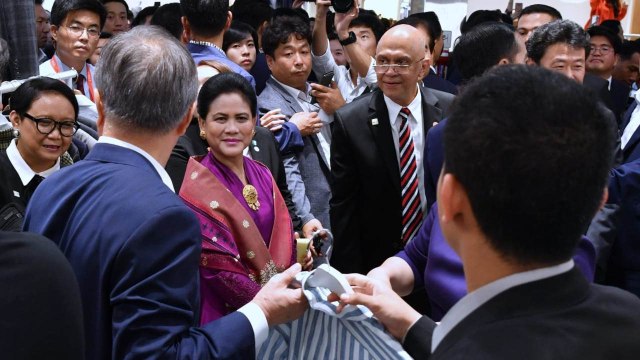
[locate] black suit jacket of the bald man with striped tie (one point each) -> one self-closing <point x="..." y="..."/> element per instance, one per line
<point x="366" y="213"/>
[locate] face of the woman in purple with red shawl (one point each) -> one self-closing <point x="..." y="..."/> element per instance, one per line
<point x="228" y="127"/>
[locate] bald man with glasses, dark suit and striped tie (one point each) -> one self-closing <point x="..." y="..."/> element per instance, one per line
<point x="378" y="198"/>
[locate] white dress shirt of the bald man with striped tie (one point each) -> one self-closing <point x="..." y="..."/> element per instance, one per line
<point x="416" y="126"/>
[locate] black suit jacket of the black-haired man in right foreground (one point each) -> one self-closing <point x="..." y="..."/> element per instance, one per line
<point x="554" y="318"/>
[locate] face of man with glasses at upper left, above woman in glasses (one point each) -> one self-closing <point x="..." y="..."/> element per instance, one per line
<point x="72" y="48"/>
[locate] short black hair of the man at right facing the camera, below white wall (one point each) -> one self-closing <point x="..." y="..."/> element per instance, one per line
<point x="555" y="32"/>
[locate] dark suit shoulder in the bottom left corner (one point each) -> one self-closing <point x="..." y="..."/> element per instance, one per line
<point x="40" y="304"/>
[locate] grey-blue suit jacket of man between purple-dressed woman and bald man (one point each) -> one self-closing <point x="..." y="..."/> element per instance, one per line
<point x="306" y="166"/>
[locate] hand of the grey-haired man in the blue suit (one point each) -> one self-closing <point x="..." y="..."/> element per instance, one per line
<point x="279" y="302"/>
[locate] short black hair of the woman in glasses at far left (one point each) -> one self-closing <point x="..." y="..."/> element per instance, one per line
<point x="32" y="89"/>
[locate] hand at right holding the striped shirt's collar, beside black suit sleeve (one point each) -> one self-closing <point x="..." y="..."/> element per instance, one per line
<point x="387" y="306"/>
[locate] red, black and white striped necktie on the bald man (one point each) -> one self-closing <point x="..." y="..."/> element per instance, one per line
<point x="411" y="206"/>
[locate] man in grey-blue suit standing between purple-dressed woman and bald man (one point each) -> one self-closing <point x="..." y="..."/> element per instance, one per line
<point x="301" y="127"/>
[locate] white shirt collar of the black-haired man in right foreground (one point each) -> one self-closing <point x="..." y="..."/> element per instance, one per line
<point x="478" y="297"/>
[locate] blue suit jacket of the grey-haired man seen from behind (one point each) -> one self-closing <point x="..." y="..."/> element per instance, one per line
<point x="135" y="248"/>
